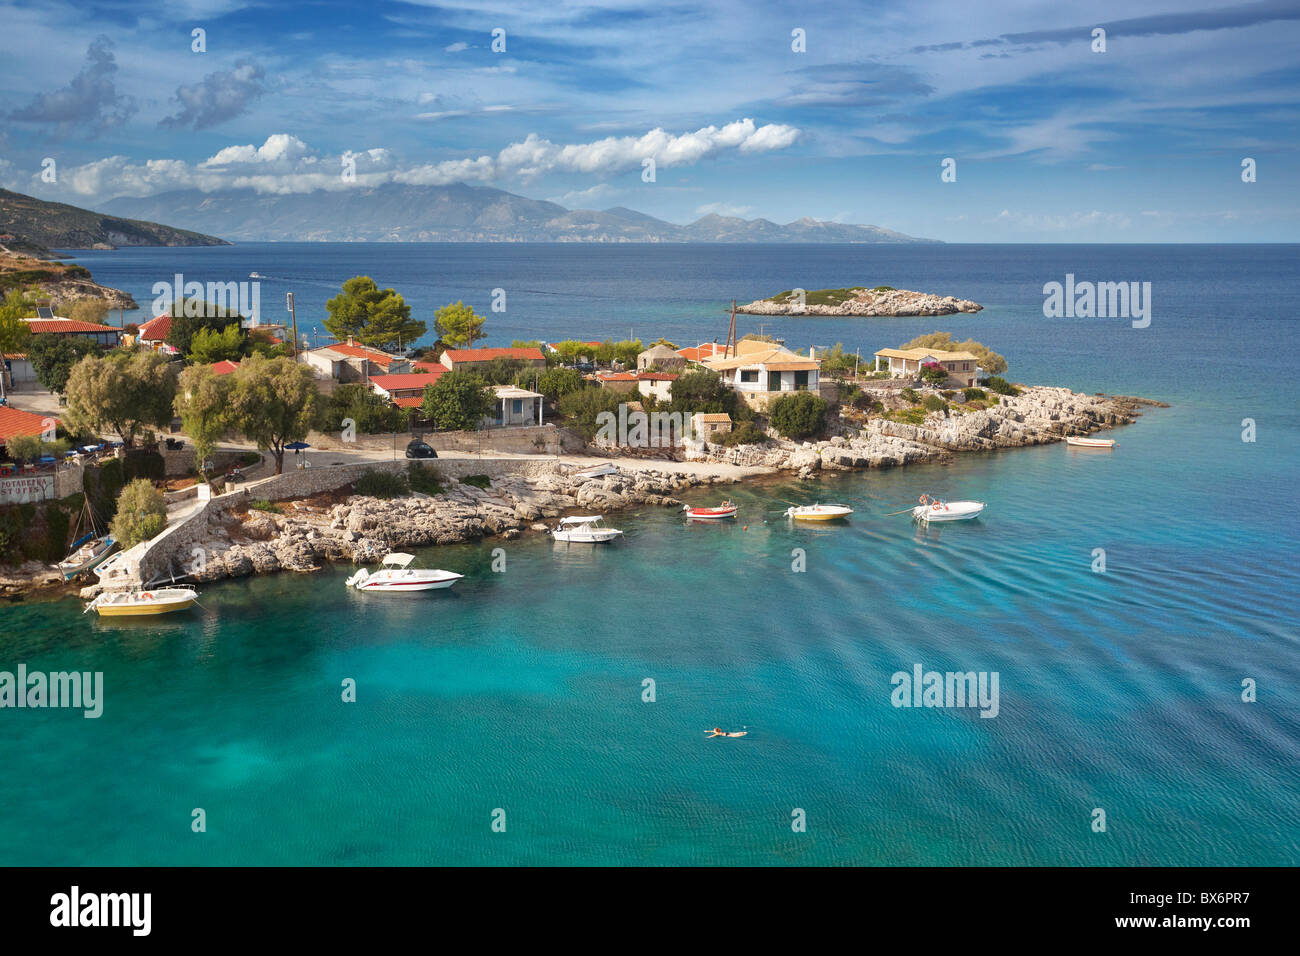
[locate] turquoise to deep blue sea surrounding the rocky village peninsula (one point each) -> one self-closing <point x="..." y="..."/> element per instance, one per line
<point x="522" y="691"/>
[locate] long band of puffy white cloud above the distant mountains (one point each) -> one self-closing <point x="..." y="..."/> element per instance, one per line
<point x="285" y="165"/>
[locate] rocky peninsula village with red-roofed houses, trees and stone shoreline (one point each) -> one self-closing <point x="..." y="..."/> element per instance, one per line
<point x="159" y="452"/>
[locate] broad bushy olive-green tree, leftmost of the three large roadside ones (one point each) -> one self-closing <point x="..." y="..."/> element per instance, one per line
<point x="124" y="391"/>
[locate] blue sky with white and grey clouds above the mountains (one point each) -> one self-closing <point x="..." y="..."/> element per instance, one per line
<point x="837" y="111"/>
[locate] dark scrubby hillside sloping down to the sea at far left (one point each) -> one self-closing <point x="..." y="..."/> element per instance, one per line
<point x="42" y="226"/>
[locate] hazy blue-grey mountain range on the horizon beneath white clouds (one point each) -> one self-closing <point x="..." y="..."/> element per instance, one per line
<point x="397" y="213"/>
